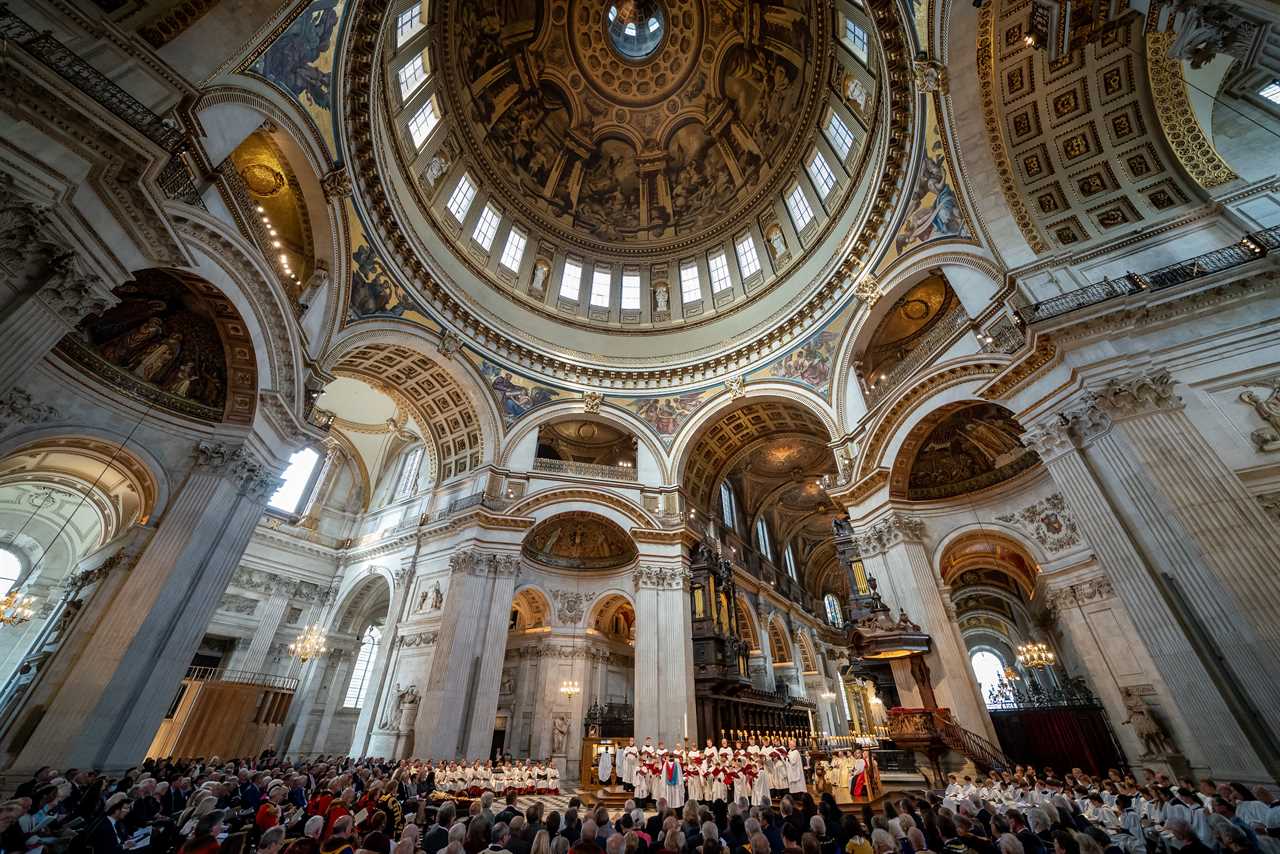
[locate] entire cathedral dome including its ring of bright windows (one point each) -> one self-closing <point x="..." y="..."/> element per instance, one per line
<point x="642" y="167"/>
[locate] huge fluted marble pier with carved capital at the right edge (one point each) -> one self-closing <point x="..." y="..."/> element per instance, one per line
<point x="1191" y="556"/>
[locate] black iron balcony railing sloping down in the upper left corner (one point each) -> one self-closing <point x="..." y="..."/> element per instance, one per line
<point x="175" y="180"/>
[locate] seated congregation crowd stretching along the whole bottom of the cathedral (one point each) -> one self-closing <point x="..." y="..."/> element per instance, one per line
<point x="341" y="806"/>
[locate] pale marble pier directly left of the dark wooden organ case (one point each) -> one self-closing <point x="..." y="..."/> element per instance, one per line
<point x="665" y="655"/>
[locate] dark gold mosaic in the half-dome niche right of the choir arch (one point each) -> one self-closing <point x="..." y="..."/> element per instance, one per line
<point x="971" y="449"/>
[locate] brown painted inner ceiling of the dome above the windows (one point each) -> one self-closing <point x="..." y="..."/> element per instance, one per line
<point x="609" y="149"/>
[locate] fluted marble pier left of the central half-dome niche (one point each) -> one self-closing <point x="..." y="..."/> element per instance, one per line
<point x="460" y="704"/>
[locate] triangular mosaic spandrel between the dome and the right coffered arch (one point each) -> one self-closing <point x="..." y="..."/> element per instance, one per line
<point x="934" y="211"/>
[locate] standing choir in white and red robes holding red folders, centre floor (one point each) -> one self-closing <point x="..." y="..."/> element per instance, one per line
<point x="756" y="773"/>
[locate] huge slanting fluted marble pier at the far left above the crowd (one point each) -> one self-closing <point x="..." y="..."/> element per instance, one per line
<point x="106" y="710"/>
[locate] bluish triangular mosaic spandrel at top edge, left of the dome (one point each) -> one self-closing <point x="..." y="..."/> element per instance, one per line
<point x="301" y="62"/>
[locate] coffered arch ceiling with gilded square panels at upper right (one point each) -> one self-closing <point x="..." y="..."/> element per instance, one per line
<point x="1078" y="140"/>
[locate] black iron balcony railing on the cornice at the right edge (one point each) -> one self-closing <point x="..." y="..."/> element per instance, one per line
<point x="1249" y="249"/>
